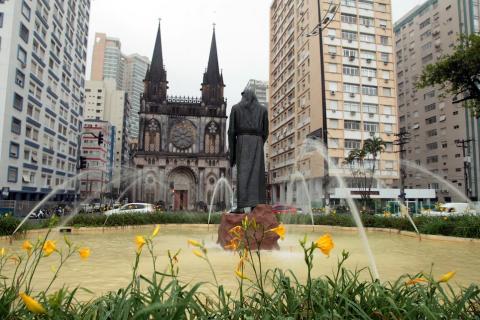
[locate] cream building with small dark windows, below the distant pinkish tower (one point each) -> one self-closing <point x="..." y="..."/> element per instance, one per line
<point x="104" y="102"/>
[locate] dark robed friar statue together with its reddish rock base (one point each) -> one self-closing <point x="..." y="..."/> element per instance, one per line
<point x="247" y="134"/>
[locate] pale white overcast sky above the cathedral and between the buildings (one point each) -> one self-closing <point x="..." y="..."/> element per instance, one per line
<point x="241" y="29"/>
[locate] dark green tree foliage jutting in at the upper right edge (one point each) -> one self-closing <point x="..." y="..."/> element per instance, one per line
<point x="457" y="74"/>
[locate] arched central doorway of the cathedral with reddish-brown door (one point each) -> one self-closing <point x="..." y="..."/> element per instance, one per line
<point x="183" y="187"/>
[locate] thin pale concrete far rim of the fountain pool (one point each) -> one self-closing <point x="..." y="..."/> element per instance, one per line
<point x="80" y="230"/>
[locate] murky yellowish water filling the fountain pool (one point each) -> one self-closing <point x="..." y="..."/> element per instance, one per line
<point x="113" y="253"/>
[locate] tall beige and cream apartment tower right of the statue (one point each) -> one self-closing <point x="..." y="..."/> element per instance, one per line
<point x="359" y="89"/>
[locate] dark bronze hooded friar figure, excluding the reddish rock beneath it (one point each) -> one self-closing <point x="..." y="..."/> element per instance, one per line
<point x="247" y="133"/>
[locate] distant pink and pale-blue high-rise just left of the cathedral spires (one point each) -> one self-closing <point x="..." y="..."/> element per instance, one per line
<point x="128" y="71"/>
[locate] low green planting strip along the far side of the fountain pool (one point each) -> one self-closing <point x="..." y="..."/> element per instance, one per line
<point x="461" y="226"/>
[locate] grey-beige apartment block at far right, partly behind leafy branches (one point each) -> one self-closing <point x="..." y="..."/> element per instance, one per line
<point x="423" y="35"/>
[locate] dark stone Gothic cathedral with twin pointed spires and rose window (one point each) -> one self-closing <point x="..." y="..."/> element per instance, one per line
<point x="181" y="151"/>
